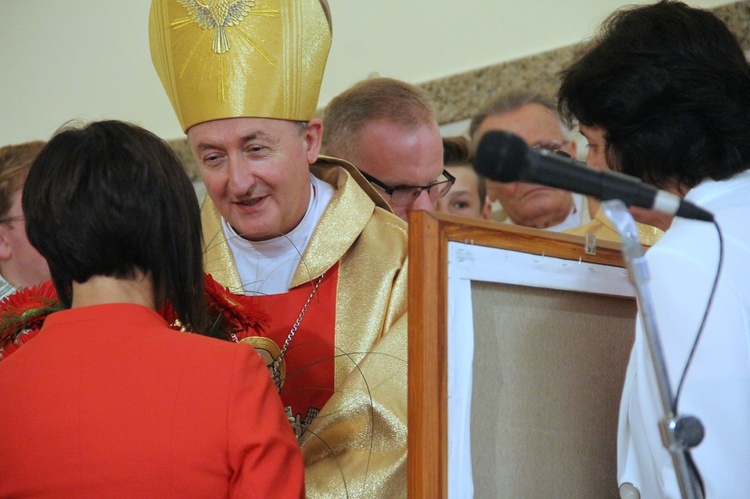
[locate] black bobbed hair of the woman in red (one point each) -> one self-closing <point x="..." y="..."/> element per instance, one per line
<point x="110" y="198"/>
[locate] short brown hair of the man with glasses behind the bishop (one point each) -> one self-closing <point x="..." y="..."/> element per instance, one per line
<point x="385" y="99"/>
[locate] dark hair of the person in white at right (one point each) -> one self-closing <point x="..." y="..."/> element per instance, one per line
<point x="670" y="86"/>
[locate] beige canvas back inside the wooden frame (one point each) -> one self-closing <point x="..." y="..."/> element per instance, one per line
<point x="548" y="371"/>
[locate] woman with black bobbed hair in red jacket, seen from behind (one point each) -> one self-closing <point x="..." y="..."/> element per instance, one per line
<point x="108" y="400"/>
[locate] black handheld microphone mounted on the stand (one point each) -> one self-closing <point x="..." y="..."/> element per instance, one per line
<point x="504" y="157"/>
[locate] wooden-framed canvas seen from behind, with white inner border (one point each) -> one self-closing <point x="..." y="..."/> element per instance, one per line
<point x="518" y="344"/>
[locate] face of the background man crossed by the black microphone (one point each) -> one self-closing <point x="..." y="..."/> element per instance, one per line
<point x="531" y="205"/>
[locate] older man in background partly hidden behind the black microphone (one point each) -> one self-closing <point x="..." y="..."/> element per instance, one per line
<point x="533" y="118"/>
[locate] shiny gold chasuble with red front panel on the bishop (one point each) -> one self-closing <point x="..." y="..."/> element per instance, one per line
<point x="348" y="357"/>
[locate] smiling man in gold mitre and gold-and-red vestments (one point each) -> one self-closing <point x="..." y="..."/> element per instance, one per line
<point x="308" y="235"/>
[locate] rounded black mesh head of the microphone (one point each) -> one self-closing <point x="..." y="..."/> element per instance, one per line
<point x="501" y="156"/>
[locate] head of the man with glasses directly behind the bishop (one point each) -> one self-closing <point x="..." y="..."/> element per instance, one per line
<point x="388" y="129"/>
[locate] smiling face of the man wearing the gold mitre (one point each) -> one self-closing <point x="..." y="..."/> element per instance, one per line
<point x="256" y="171"/>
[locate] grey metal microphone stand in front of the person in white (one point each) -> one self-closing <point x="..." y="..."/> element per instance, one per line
<point x="679" y="434"/>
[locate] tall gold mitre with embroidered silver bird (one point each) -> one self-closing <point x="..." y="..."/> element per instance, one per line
<point x="243" y="58"/>
